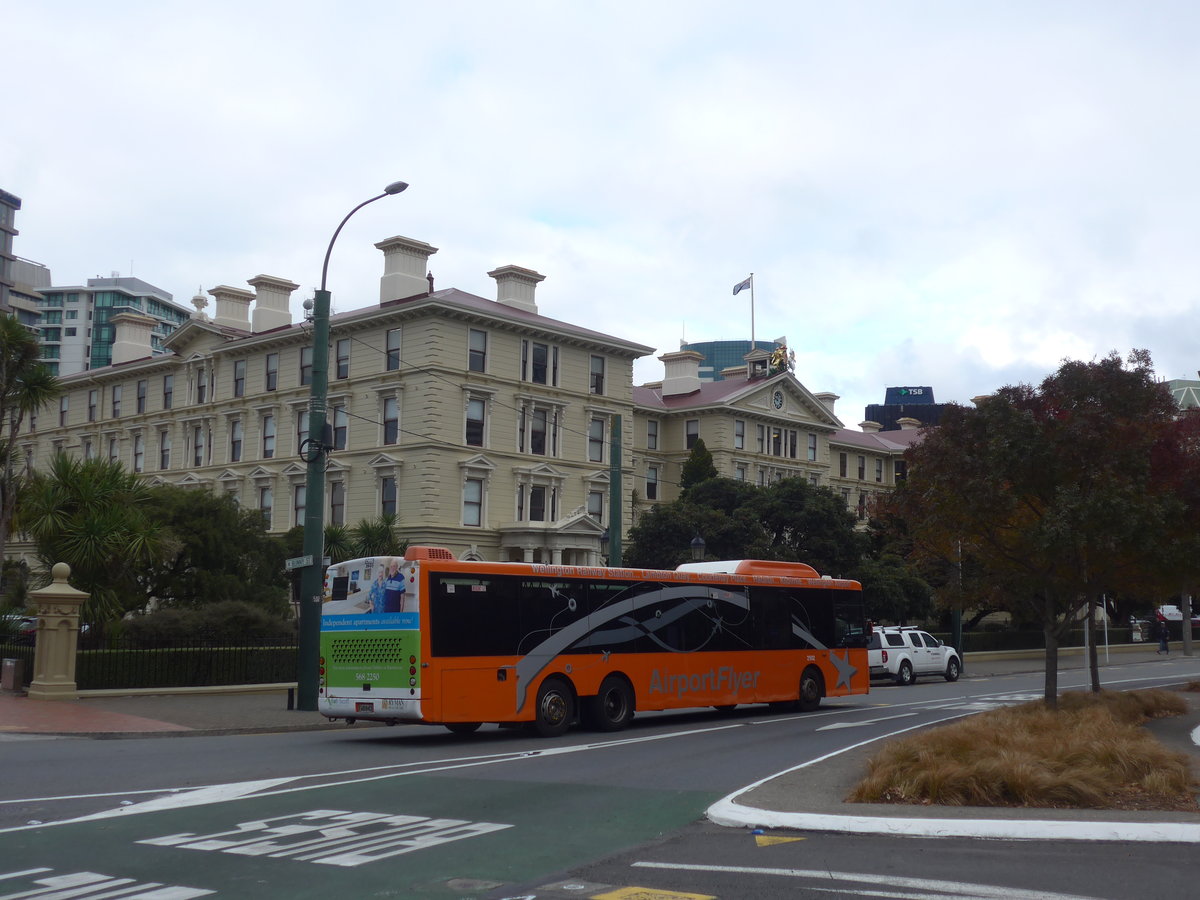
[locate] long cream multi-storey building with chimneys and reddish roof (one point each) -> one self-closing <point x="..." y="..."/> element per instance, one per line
<point x="482" y="424"/>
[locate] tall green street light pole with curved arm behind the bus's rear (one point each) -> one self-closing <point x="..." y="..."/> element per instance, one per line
<point x="314" y="453"/>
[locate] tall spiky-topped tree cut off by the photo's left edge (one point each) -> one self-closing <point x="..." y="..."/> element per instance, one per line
<point x="26" y="385"/>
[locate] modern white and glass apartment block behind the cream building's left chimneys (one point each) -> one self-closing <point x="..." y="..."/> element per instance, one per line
<point x="77" y="329"/>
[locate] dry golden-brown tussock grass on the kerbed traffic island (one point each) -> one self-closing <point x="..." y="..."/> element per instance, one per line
<point x="1090" y="754"/>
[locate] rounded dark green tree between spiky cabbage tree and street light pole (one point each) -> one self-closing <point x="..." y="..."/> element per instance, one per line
<point x="218" y="553"/>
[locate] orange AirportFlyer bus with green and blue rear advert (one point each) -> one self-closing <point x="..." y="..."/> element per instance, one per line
<point x="429" y="639"/>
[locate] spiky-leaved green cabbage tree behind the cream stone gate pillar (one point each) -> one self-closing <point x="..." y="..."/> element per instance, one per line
<point x="94" y="515"/>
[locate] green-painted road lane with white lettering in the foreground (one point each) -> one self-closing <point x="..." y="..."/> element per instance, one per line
<point x="406" y="837"/>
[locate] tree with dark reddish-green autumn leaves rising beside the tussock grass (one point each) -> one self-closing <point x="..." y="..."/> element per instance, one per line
<point x="1051" y="493"/>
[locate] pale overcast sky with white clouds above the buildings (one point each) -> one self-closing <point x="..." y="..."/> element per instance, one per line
<point x="957" y="195"/>
